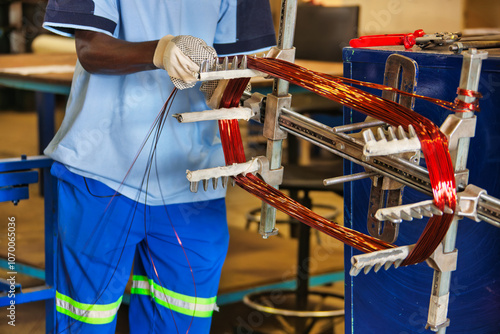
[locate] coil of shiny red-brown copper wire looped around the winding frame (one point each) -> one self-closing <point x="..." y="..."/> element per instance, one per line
<point x="434" y="147"/>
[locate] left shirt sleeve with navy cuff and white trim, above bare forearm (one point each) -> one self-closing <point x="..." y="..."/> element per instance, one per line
<point x="64" y="16"/>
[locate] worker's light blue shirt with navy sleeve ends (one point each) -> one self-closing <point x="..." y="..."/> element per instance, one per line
<point x="108" y="119"/>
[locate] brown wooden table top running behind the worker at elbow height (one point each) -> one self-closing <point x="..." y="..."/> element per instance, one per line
<point x="56" y="68"/>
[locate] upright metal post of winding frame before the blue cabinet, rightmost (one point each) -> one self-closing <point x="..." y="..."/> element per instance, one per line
<point x="437" y="320"/>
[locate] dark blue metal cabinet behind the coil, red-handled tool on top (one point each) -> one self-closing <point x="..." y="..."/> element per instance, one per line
<point x="397" y="300"/>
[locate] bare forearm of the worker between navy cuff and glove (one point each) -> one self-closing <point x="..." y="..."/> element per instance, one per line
<point x="102" y="54"/>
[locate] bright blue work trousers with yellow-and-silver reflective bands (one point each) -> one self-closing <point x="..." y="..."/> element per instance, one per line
<point x="177" y="252"/>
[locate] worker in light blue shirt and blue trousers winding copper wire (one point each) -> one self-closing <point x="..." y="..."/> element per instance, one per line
<point x="123" y="195"/>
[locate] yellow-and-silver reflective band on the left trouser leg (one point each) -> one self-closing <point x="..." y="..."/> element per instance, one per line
<point x="95" y="314"/>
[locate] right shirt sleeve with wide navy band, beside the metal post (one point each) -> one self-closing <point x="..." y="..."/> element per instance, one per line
<point x="252" y="28"/>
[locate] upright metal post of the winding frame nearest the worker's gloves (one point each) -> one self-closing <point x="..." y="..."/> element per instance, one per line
<point x="280" y="89"/>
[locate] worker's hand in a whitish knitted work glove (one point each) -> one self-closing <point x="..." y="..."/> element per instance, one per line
<point x="181" y="57"/>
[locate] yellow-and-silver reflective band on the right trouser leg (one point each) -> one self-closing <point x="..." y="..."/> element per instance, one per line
<point x="194" y="306"/>
